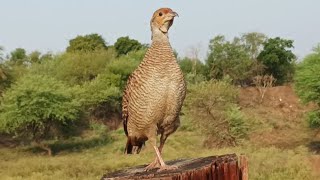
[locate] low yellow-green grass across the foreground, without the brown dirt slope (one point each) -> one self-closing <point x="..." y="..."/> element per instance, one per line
<point x="92" y="162"/>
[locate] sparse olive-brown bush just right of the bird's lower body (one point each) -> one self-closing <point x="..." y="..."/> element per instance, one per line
<point x="212" y="107"/>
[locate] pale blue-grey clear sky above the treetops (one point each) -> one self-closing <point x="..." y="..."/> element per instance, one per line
<point x="48" y="25"/>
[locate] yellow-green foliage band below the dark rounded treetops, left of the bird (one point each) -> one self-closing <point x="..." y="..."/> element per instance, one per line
<point x="75" y="68"/>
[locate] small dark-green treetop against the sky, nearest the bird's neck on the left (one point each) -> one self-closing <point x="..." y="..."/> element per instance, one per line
<point x="124" y="45"/>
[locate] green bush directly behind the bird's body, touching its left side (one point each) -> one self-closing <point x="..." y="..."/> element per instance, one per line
<point x="102" y="95"/>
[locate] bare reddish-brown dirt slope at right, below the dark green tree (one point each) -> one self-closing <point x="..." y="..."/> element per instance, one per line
<point x="281" y="109"/>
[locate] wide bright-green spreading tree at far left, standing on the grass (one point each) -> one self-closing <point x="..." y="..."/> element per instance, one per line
<point x="37" y="107"/>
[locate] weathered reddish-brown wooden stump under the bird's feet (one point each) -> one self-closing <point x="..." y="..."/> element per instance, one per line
<point x="225" y="167"/>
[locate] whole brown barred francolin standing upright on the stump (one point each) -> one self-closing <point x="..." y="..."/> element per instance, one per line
<point x="154" y="93"/>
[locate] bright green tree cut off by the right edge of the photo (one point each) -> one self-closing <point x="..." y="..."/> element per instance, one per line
<point x="307" y="84"/>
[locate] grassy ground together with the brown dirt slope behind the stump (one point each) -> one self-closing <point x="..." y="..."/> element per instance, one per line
<point x="278" y="147"/>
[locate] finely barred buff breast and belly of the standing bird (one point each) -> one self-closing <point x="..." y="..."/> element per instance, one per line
<point x="158" y="89"/>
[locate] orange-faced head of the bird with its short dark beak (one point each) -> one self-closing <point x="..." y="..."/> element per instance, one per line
<point x="162" y="20"/>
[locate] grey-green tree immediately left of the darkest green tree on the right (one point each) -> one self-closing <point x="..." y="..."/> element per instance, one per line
<point x="229" y="58"/>
